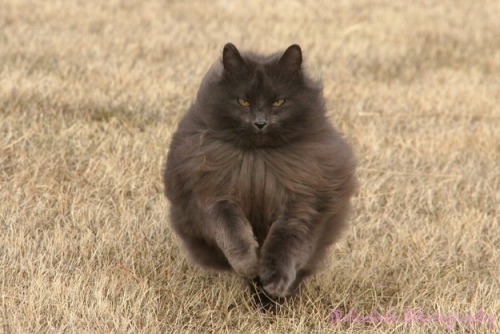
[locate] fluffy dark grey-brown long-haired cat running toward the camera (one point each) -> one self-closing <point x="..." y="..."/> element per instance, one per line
<point x="258" y="179"/>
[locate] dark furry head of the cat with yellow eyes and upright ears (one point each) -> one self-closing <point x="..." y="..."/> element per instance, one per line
<point x="254" y="100"/>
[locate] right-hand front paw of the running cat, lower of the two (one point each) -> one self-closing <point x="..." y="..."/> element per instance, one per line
<point x="277" y="279"/>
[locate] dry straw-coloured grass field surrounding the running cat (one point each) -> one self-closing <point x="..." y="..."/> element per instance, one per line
<point x="91" y="92"/>
